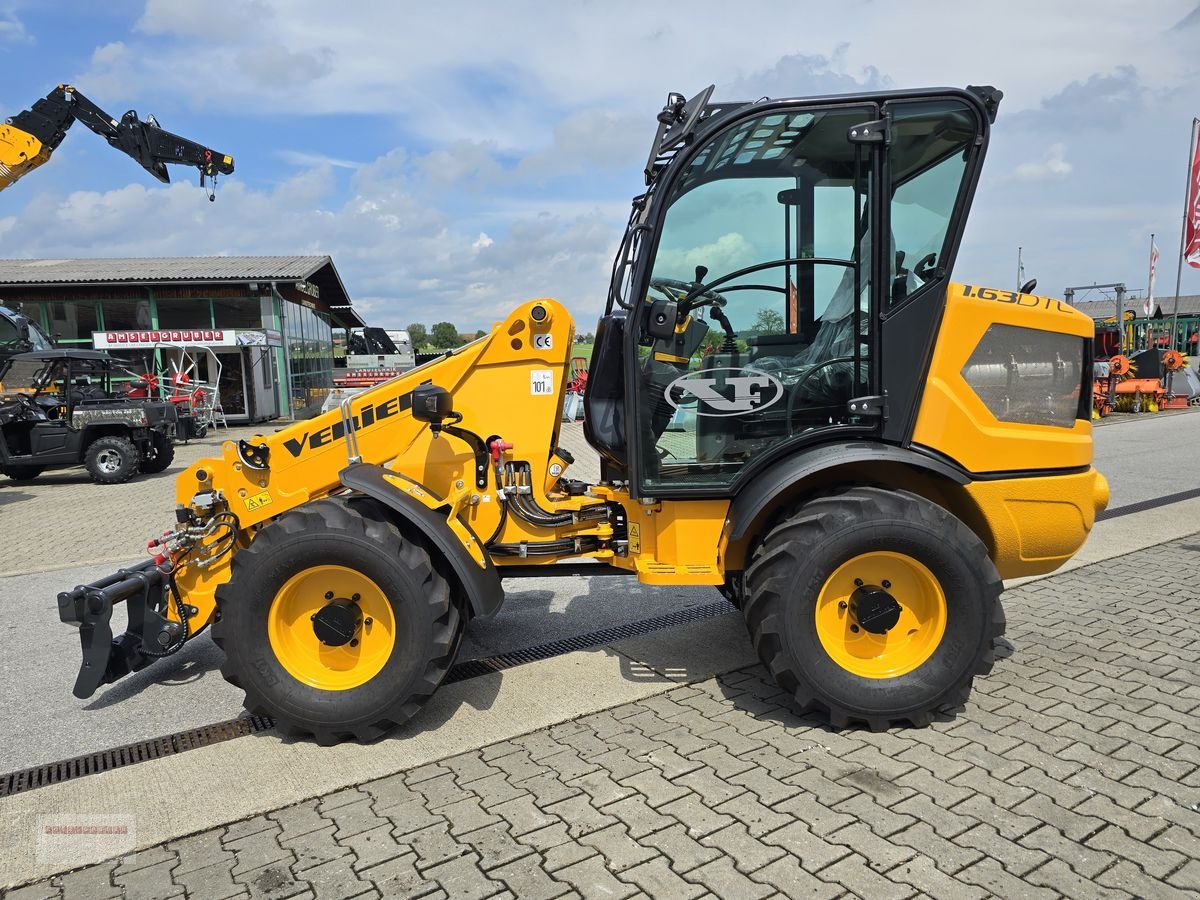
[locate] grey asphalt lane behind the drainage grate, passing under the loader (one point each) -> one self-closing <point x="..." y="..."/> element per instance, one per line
<point x="39" y="657"/>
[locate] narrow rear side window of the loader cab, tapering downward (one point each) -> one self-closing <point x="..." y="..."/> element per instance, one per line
<point x="931" y="145"/>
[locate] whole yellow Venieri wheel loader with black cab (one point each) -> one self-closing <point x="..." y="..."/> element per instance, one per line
<point x="791" y="403"/>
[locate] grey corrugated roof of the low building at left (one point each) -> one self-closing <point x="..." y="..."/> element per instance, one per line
<point x="183" y="271"/>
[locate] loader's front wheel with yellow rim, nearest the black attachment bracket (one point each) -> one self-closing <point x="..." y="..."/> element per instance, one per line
<point x="406" y="639"/>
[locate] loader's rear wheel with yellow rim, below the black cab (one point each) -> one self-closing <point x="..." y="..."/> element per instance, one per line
<point x="802" y="608"/>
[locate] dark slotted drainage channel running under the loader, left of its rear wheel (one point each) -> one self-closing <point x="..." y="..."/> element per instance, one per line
<point x="157" y="748"/>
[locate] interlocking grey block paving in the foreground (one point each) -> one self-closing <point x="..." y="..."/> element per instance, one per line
<point x="1075" y="771"/>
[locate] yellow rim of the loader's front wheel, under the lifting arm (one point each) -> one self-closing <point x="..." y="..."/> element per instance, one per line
<point x="290" y="626"/>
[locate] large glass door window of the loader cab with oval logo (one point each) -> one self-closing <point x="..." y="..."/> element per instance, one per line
<point x="765" y="249"/>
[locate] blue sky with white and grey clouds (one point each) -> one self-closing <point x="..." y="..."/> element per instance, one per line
<point x="458" y="159"/>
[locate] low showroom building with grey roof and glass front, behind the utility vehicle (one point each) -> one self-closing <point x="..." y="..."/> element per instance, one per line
<point x="266" y="321"/>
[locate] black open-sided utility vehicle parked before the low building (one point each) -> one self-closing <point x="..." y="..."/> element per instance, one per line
<point x="59" y="409"/>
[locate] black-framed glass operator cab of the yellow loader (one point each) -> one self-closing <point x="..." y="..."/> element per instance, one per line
<point x="751" y="305"/>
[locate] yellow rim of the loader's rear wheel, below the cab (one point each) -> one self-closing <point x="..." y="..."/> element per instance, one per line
<point x="909" y="643"/>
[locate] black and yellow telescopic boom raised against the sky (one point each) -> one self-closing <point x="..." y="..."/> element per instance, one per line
<point x="29" y="139"/>
